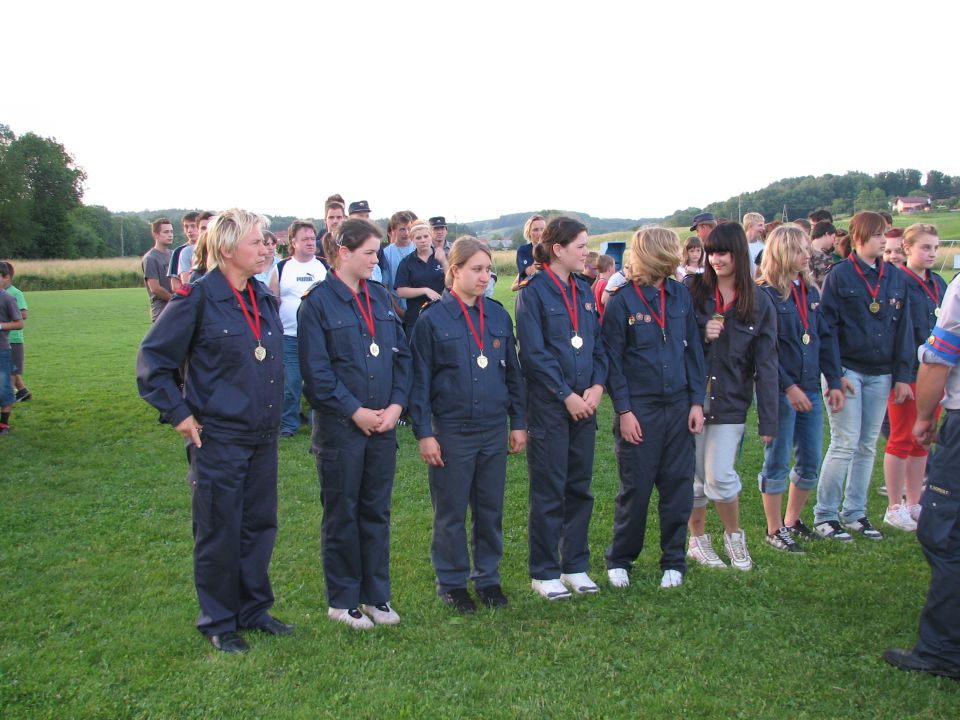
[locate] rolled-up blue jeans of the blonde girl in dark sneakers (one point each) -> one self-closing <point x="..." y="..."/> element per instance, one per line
<point x="801" y="433"/>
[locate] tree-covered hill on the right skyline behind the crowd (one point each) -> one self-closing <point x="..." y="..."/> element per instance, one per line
<point x="840" y="194"/>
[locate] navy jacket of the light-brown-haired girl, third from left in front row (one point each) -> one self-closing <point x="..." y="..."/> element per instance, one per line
<point x="450" y="391"/>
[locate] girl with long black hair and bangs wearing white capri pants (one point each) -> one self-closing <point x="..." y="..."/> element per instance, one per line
<point x="739" y="331"/>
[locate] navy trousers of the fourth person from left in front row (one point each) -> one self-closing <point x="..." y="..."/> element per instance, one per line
<point x="560" y="465"/>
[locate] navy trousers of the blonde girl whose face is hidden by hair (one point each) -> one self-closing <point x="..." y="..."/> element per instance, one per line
<point x="664" y="459"/>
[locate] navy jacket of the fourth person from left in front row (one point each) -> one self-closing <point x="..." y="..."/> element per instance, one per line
<point x="551" y="365"/>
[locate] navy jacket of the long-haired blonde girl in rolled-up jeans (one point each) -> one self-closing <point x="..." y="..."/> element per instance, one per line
<point x="801" y="364"/>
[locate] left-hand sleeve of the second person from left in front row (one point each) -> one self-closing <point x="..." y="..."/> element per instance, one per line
<point x="320" y="383"/>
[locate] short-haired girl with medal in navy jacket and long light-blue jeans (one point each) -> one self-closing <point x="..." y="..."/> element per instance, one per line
<point x="865" y="304"/>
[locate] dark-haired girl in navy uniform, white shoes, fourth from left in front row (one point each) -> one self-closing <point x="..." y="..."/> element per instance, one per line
<point x="565" y="366"/>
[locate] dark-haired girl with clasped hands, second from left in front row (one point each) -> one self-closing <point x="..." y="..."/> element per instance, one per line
<point x="357" y="373"/>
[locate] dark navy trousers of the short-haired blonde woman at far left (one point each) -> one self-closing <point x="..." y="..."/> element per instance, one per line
<point x="235" y="526"/>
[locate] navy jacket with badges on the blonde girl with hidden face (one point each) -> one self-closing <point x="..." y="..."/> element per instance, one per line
<point x="648" y="365"/>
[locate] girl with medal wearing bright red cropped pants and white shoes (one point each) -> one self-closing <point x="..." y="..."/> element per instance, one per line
<point x="905" y="460"/>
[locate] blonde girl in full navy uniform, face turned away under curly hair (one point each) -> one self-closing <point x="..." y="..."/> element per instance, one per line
<point x="657" y="387"/>
